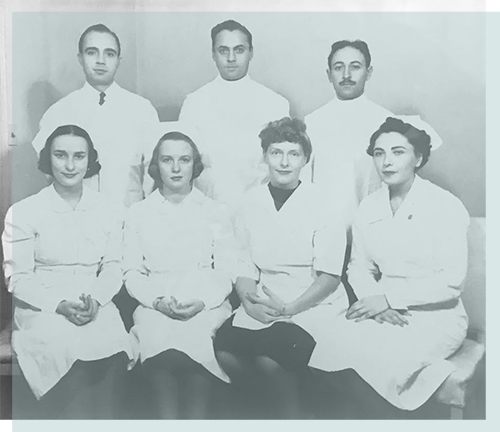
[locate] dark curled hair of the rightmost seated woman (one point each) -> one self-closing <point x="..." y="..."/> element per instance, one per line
<point x="419" y="139"/>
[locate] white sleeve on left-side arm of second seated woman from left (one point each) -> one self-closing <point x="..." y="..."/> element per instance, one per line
<point x="137" y="280"/>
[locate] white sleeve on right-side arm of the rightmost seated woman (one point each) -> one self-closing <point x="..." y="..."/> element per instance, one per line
<point x="450" y="257"/>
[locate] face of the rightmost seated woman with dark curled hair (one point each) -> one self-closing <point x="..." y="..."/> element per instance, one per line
<point x="395" y="159"/>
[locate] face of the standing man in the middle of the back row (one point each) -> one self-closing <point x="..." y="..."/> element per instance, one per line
<point x="232" y="54"/>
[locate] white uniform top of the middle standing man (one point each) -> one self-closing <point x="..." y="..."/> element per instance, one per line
<point x="228" y="116"/>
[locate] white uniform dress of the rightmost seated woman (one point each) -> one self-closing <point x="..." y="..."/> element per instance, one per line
<point x="421" y="254"/>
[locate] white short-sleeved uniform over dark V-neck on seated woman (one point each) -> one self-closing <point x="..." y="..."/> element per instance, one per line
<point x="284" y="249"/>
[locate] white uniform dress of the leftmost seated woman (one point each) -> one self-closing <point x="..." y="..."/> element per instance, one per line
<point x="54" y="253"/>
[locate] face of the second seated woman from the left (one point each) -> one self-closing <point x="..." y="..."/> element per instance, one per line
<point x="176" y="162"/>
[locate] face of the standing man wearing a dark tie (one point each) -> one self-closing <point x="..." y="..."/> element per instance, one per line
<point x="99" y="58"/>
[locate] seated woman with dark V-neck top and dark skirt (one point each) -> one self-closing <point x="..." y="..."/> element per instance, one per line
<point x="292" y="252"/>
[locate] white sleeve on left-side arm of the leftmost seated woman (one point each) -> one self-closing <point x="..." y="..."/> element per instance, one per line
<point x="18" y="241"/>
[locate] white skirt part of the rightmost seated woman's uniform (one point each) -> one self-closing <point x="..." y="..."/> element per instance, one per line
<point x="405" y="365"/>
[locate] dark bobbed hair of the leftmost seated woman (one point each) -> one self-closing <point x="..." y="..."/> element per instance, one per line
<point x="44" y="164"/>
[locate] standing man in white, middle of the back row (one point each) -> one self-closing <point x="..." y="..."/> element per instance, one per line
<point x="229" y="114"/>
